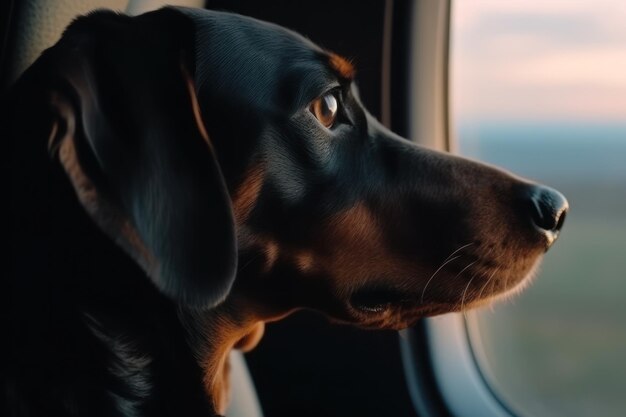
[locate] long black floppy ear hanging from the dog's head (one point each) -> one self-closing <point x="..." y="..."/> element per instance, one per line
<point x="129" y="133"/>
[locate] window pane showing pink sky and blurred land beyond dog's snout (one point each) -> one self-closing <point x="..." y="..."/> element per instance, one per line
<point x="540" y="88"/>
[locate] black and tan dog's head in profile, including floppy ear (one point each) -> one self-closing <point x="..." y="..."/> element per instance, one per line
<point x="231" y="157"/>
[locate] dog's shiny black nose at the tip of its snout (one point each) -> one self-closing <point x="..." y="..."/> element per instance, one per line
<point x="548" y="208"/>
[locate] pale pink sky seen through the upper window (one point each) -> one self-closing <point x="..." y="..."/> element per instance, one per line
<point x="539" y="60"/>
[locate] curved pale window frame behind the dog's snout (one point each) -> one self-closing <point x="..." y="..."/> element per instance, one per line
<point x="441" y="368"/>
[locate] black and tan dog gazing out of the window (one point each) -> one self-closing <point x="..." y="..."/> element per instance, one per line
<point x="180" y="178"/>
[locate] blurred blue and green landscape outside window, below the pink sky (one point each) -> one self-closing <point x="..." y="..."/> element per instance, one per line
<point x="558" y="349"/>
